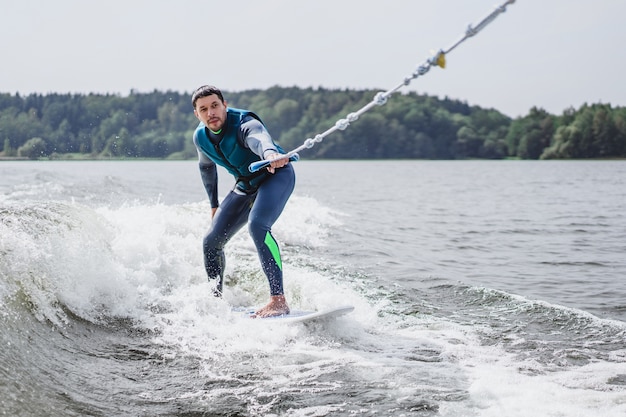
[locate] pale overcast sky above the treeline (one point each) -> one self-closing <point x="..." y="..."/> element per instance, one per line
<point x="552" y="54"/>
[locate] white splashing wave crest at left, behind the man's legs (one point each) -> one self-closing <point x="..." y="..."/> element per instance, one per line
<point x="107" y="262"/>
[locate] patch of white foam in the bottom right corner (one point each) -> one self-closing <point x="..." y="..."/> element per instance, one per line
<point x="503" y="386"/>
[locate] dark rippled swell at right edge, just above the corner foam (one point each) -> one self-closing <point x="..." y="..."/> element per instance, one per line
<point x="554" y="336"/>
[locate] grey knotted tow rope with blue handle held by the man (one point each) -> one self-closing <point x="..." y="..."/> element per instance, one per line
<point x="438" y="59"/>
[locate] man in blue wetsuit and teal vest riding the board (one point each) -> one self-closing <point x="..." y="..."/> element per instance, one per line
<point x="235" y="138"/>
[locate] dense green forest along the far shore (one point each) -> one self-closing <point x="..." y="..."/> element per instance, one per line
<point x="409" y="126"/>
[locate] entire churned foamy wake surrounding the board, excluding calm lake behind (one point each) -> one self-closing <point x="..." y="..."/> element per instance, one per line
<point x="114" y="301"/>
